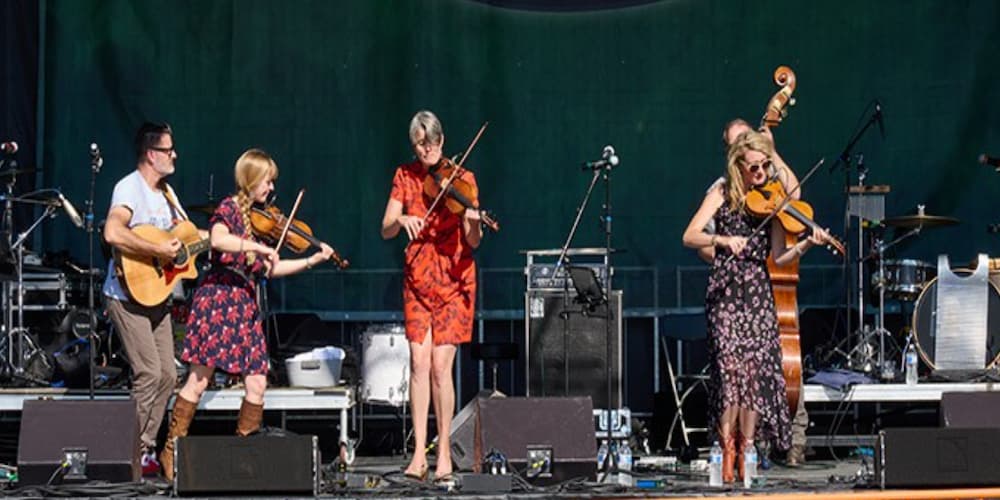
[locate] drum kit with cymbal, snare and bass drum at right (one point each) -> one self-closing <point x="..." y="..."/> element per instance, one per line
<point x="914" y="284"/>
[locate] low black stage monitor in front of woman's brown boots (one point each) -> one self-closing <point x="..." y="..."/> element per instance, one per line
<point x="252" y="465"/>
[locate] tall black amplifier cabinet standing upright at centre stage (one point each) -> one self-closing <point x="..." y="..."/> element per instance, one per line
<point x="566" y="350"/>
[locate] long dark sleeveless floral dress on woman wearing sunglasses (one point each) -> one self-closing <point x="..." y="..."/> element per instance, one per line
<point x="744" y="349"/>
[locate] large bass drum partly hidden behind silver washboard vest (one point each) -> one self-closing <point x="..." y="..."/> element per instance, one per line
<point x="925" y="311"/>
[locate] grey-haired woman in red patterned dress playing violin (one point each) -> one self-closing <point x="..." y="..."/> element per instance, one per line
<point x="439" y="288"/>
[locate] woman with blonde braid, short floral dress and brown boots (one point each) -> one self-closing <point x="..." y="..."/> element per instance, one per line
<point x="225" y="329"/>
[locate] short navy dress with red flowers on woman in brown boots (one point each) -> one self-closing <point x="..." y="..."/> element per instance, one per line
<point x="224" y="328"/>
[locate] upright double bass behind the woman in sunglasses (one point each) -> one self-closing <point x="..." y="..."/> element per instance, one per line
<point x="785" y="280"/>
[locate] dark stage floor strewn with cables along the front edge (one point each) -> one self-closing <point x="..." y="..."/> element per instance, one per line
<point x="381" y="477"/>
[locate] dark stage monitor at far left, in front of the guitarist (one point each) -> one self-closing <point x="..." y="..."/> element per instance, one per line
<point x="103" y="436"/>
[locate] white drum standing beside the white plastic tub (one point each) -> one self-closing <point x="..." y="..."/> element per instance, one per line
<point x="385" y="365"/>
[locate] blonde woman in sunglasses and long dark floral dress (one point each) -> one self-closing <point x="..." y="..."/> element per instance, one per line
<point x="747" y="389"/>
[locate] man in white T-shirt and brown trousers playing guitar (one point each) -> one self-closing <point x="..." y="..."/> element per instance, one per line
<point x="144" y="198"/>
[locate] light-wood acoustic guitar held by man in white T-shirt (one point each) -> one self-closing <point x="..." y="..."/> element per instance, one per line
<point x="150" y="280"/>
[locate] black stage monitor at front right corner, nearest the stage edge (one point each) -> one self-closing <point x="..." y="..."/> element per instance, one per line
<point x="919" y="457"/>
